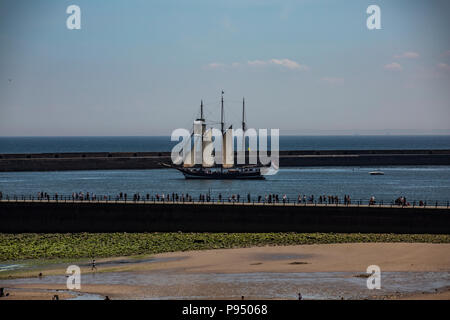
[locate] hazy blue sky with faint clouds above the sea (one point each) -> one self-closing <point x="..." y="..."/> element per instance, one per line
<point x="141" y="67"/>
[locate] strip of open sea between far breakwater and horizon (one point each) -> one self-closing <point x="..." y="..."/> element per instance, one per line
<point x="50" y="144"/>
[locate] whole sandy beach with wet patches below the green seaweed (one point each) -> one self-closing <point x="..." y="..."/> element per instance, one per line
<point x="322" y="271"/>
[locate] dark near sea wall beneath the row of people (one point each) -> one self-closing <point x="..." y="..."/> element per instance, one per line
<point x="37" y="217"/>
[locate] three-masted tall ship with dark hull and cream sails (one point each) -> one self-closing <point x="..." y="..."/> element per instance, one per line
<point x="208" y="169"/>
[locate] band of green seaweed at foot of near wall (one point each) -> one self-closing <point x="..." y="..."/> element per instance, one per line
<point x="26" y="246"/>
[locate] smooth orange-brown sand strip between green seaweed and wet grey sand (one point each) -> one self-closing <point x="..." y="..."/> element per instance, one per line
<point x="312" y="258"/>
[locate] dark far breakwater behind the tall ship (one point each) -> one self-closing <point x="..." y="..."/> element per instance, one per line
<point x="153" y="160"/>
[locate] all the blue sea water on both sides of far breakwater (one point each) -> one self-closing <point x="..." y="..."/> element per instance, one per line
<point x="427" y="183"/>
